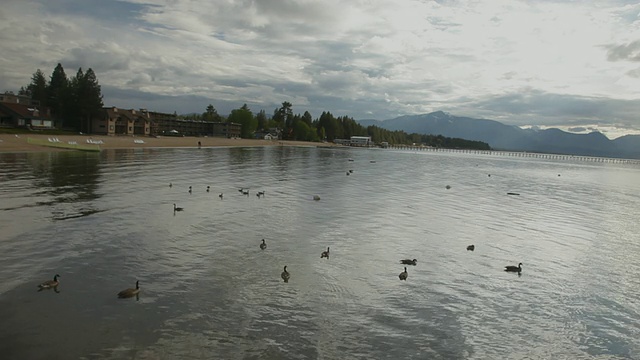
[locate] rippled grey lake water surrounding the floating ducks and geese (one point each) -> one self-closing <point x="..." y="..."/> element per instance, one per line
<point x="103" y="221"/>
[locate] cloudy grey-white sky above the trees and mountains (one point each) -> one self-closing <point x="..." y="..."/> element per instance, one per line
<point x="574" y="65"/>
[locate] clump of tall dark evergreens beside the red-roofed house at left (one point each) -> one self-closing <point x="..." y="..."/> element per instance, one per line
<point x="73" y="101"/>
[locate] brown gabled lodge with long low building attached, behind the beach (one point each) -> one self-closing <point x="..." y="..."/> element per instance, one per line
<point x="114" y="121"/>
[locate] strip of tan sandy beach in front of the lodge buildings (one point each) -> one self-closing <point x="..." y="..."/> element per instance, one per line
<point x="18" y="143"/>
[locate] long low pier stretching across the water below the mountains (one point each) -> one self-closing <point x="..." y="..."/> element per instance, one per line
<point x="518" y="154"/>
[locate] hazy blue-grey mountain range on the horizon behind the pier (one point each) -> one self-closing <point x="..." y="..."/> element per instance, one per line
<point x="510" y="137"/>
